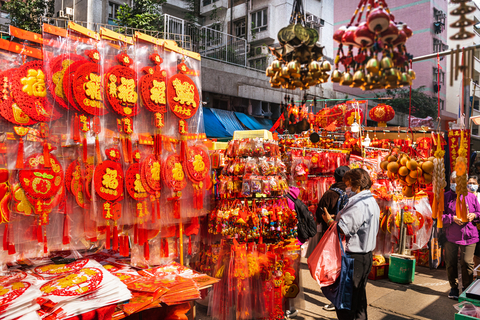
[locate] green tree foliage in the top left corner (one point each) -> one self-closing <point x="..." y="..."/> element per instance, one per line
<point x="28" y="15"/>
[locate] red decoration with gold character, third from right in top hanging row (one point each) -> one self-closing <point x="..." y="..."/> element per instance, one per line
<point x="121" y="87"/>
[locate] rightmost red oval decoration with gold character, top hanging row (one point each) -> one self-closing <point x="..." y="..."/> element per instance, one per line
<point x="183" y="96"/>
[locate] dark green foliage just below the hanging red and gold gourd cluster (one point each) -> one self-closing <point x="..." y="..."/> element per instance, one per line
<point x="423" y="105"/>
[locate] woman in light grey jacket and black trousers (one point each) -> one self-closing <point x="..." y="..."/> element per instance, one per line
<point x="359" y="222"/>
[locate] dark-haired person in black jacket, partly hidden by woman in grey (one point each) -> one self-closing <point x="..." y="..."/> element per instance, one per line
<point x="329" y="200"/>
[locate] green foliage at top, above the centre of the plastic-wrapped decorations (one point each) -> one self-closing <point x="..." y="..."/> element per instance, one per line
<point x="143" y="14"/>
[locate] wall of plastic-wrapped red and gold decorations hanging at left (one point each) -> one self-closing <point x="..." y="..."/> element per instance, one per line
<point x="83" y="144"/>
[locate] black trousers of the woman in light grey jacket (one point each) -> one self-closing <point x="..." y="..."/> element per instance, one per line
<point x="361" y="268"/>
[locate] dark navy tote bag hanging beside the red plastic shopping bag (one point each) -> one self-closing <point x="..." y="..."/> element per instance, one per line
<point x="341" y="291"/>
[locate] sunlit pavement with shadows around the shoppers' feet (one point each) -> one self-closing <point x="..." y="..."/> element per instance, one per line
<point x="425" y="298"/>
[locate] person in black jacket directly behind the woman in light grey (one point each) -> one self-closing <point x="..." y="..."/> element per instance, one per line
<point x="329" y="200"/>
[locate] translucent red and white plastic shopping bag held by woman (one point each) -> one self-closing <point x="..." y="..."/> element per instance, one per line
<point x="325" y="261"/>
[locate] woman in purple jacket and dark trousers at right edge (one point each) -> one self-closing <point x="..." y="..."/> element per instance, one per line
<point x="460" y="235"/>
